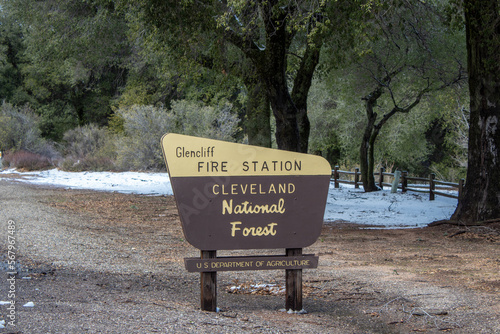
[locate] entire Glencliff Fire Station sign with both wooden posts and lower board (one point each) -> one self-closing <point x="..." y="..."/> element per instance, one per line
<point x="234" y="196"/>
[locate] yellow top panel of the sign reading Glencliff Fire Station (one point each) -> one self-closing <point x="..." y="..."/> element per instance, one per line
<point x="188" y="156"/>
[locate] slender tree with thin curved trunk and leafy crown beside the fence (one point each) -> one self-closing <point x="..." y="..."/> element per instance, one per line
<point x="408" y="54"/>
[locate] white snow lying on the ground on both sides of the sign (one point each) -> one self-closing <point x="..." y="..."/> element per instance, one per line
<point x="381" y="208"/>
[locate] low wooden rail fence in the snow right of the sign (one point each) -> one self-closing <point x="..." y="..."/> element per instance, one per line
<point x="418" y="184"/>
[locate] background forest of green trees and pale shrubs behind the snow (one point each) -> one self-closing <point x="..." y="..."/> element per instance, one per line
<point x="94" y="84"/>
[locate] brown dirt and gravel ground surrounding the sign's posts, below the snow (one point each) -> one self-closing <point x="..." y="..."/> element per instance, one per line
<point x="96" y="262"/>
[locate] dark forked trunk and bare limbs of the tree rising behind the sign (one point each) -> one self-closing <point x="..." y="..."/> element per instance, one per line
<point x="292" y="123"/>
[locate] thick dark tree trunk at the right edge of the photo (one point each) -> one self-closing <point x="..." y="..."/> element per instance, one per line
<point x="481" y="197"/>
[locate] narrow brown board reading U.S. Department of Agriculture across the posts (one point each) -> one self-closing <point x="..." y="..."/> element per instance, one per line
<point x="251" y="263"/>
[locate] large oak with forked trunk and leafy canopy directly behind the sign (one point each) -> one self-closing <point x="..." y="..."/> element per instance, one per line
<point x="263" y="33"/>
